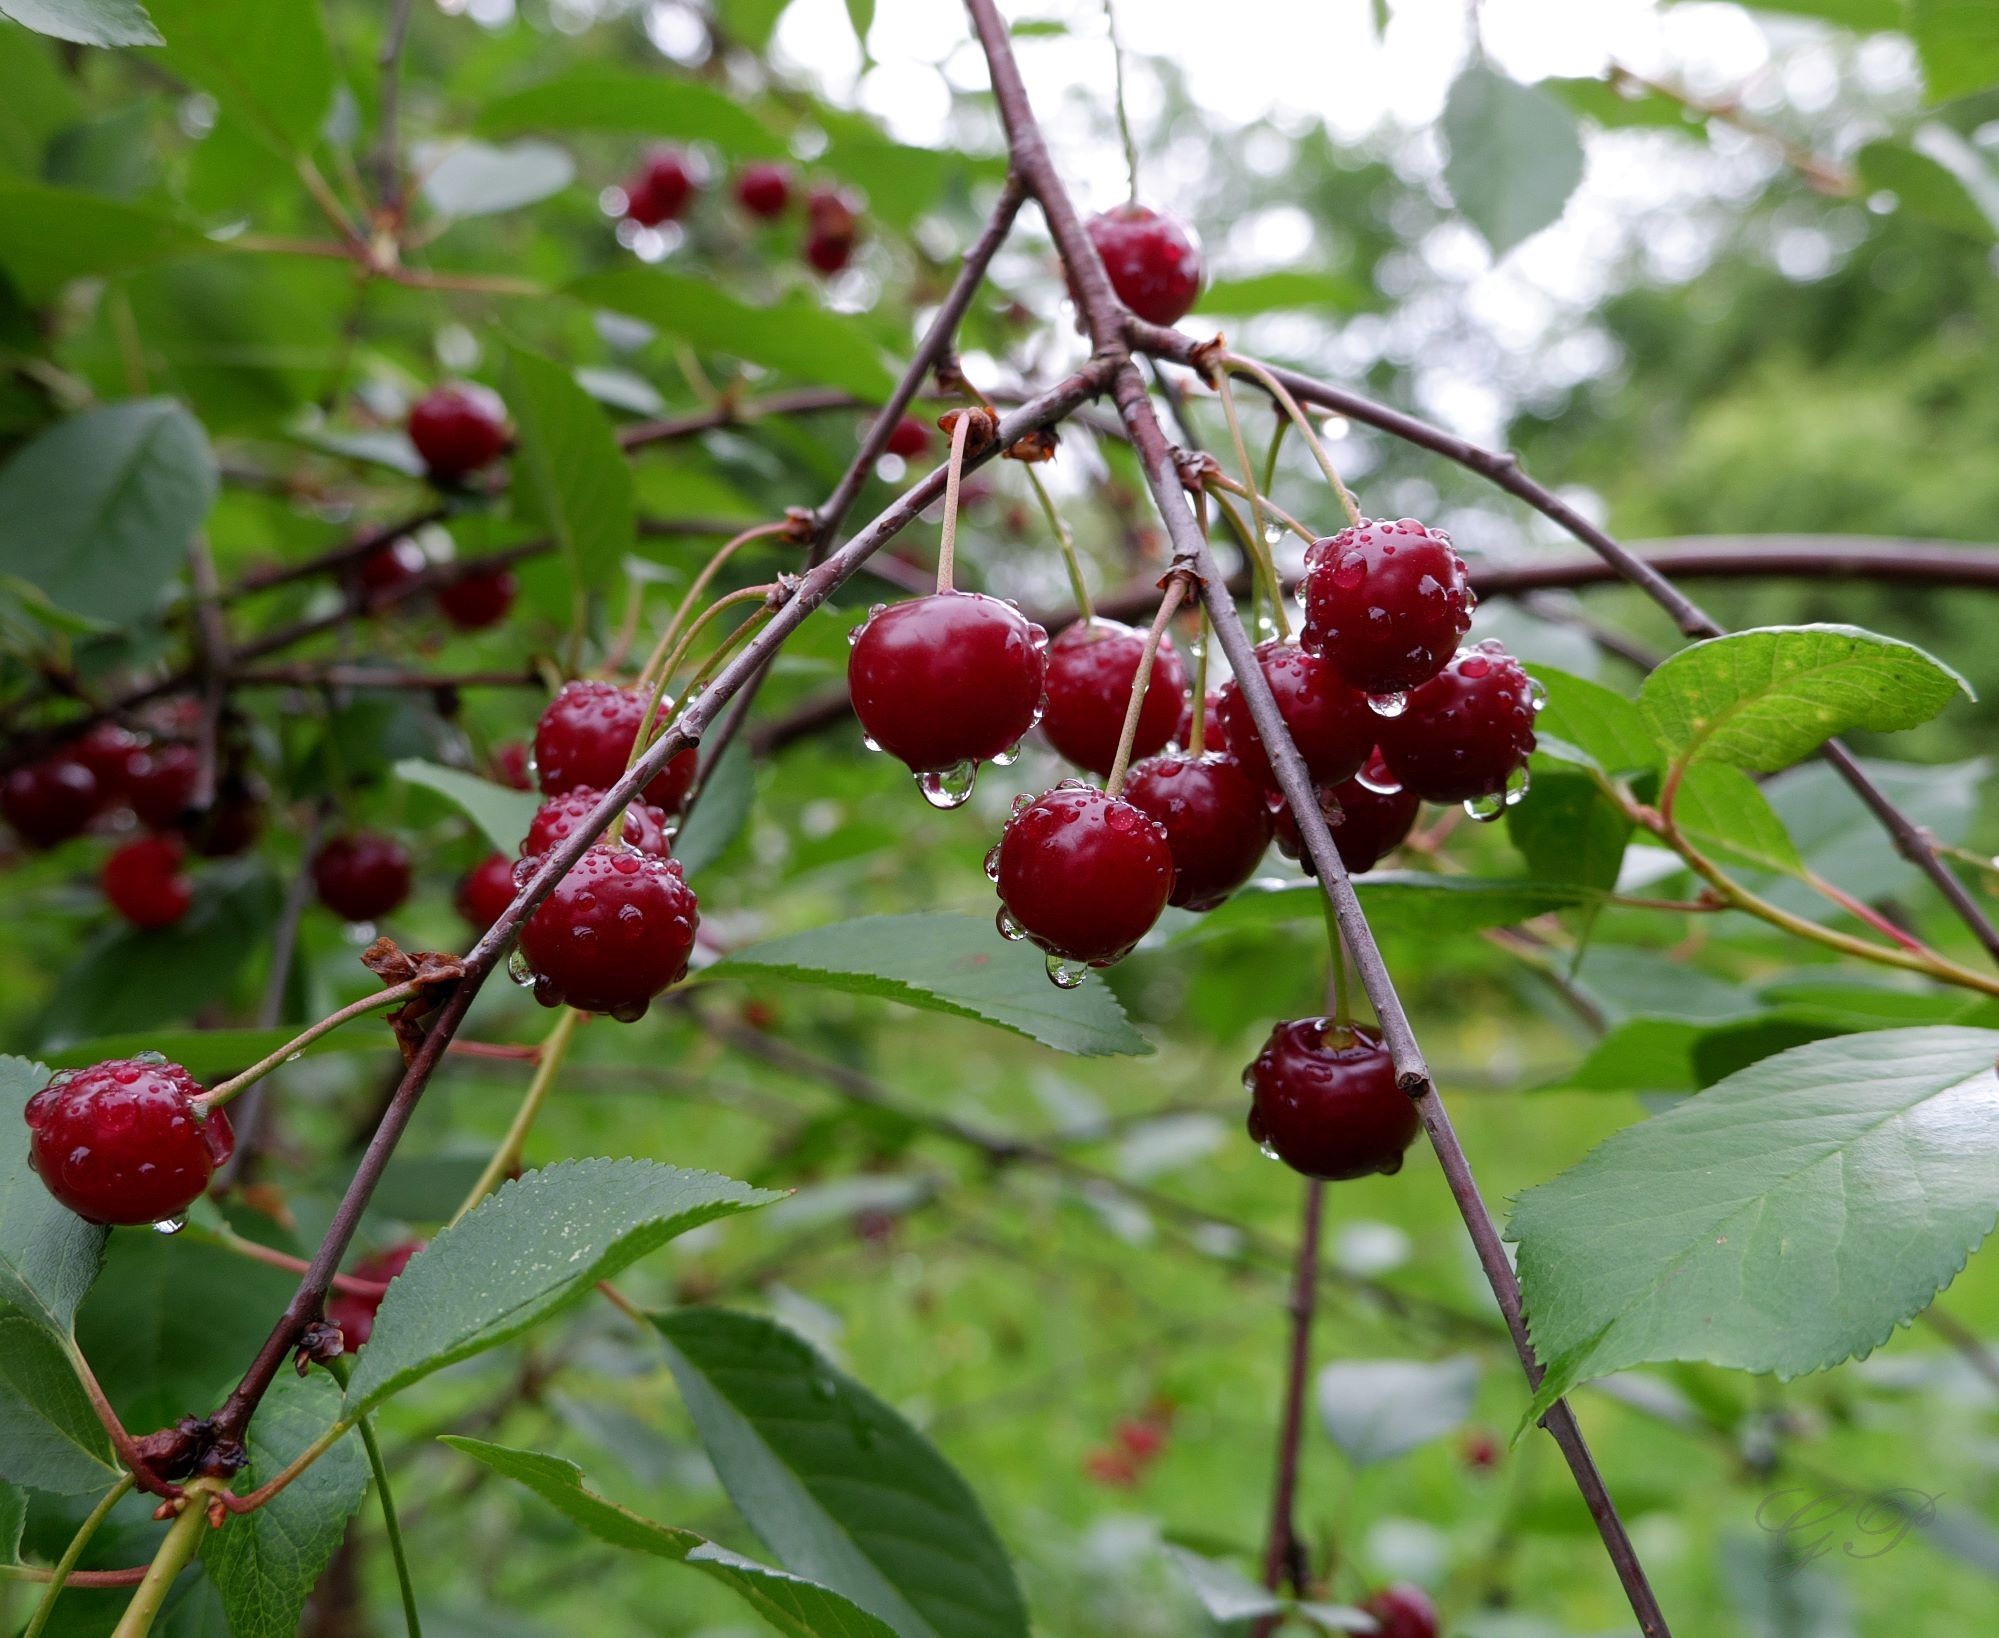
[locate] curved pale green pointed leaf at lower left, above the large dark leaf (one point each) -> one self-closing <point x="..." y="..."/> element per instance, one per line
<point x="521" y="1255"/>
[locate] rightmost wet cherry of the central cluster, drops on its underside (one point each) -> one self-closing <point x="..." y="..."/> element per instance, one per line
<point x="1468" y="731"/>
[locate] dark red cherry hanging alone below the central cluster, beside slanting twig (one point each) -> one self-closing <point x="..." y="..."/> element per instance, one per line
<point x="1324" y="1101"/>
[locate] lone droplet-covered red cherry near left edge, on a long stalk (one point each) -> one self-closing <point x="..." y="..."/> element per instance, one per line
<point x="125" y="1143"/>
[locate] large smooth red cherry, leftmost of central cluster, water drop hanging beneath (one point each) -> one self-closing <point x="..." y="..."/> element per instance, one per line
<point x="951" y="679"/>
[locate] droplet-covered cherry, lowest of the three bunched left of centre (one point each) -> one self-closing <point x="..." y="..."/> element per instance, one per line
<point x="613" y="935"/>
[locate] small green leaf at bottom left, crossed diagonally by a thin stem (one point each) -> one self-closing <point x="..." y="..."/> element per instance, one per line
<point x="265" y="1563"/>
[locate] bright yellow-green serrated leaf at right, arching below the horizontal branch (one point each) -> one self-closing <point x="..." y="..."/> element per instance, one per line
<point x="1766" y="699"/>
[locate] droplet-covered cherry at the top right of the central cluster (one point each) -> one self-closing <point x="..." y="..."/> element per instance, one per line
<point x="1388" y="603"/>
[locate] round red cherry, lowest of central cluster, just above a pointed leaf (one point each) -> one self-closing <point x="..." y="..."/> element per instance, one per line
<point x="1082" y="875"/>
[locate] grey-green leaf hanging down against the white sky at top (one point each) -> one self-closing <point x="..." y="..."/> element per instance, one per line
<point x="1516" y="157"/>
